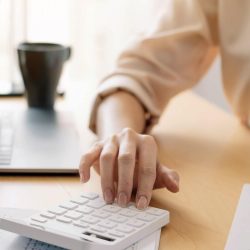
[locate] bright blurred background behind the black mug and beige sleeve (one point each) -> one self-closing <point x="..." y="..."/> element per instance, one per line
<point x="97" y="30"/>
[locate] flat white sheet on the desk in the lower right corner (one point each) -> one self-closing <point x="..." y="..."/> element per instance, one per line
<point x="239" y="235"/>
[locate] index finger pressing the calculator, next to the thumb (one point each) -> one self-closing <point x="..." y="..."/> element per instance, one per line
<point x="147" y="171"/>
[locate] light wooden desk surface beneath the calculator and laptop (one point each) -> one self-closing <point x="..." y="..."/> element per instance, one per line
<point x="208" y="147"/>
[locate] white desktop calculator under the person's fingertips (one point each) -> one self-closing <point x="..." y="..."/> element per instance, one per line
<point x="87" y="222"/>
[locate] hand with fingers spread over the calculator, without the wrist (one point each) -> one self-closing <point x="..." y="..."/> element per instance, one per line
<point x="127" y="161"/>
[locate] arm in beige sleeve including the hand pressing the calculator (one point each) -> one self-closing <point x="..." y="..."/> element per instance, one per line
<point x="155" y="68"/>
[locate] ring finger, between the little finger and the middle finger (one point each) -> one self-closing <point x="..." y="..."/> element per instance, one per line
<point x="107" y="165"/>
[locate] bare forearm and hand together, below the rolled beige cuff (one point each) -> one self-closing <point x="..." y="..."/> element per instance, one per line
<point x="124" y="155"/>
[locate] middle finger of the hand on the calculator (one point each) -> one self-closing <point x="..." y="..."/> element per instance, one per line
<point x="126" y="166"/>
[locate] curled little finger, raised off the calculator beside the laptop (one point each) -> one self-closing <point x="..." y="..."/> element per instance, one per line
<point x="87" y="161"/>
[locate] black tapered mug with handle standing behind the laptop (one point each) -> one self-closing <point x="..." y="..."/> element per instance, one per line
<point x="41" y="66"/>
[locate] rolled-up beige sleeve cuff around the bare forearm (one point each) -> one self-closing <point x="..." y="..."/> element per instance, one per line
<point x="118" y="83"/>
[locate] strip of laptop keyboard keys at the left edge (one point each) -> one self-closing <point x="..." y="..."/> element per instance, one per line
<point x="6" y="138"/>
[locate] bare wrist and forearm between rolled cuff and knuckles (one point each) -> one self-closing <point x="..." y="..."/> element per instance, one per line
<point x="118" y="111"/>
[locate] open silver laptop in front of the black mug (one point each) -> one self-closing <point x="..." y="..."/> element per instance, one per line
<point x="38" y="141"/>
